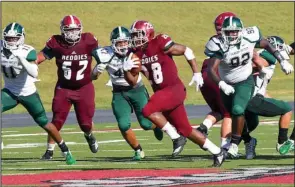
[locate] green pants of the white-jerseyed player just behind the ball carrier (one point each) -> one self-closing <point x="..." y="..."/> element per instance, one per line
<point x="125" y="102"/>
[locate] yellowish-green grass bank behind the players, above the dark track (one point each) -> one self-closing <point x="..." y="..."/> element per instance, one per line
<point x="188" y="23"/>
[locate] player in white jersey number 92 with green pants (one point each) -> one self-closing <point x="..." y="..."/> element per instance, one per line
<point x="232" y="53"/>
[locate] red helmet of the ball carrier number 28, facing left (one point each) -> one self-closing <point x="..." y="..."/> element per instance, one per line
<point x="141" y="33"/>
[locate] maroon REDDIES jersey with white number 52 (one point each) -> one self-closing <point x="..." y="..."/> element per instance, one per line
<point x="73" y="62"/>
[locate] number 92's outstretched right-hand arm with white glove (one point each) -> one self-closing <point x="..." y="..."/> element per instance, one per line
<point x="285" y="65"/>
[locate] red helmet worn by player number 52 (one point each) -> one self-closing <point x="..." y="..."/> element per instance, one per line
<point x="71" y="29"/>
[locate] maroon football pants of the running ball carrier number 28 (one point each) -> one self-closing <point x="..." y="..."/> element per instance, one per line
<point x="169" y="101"/>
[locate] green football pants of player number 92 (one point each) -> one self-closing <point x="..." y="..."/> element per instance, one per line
<point x="236" y="103"/>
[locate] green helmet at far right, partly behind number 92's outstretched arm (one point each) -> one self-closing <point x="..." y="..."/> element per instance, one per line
<point x="279" y="44"/>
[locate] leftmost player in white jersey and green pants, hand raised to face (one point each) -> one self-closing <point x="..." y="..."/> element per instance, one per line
<point x="20" y="74"/>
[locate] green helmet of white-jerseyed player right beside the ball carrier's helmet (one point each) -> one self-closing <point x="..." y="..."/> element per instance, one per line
<point x="122" y="35"/>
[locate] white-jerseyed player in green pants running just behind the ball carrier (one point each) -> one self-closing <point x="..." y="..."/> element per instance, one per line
<point x="126" y="97"/>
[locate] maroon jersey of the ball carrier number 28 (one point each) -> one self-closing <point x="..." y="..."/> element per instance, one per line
<point x="161" y="67"/>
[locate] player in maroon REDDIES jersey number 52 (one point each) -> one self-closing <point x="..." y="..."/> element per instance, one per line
<point x="72" y="51"/>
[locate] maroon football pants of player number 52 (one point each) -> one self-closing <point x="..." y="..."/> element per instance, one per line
<point x="84" y="106"/>
